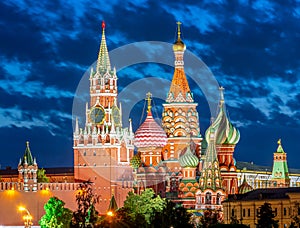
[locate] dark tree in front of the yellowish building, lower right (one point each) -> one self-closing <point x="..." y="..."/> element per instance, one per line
<point x="265" y="217"/>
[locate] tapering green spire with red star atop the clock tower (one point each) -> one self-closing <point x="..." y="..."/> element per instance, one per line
<point x="103" y="62"/>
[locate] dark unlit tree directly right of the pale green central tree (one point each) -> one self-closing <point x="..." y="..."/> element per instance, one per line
<point x="172" y="215"/>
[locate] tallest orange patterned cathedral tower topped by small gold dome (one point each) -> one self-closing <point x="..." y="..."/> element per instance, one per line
<point x="180" y="118"/>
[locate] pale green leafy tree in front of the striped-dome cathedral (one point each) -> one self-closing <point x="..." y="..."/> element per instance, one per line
<point x="141" y="208"/>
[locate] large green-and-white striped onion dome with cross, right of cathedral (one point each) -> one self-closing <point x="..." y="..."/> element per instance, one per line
<point x="226" y="133"/>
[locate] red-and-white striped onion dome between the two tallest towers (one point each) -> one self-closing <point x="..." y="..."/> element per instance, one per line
<point x="150" y="134"/>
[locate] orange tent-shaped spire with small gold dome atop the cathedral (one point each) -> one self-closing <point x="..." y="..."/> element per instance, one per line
<point x="179" y="90"/>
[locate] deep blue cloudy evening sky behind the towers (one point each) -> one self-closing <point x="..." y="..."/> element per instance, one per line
<point x="252" y="48"/>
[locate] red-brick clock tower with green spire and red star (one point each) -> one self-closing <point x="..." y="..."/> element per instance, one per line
<point x="103" y="148"/>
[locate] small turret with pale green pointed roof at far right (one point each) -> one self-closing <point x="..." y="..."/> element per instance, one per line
<point x="280" y="172"/>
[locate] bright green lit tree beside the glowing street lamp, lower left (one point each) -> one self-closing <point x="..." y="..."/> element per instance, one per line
<point x="56" y="215"/>
